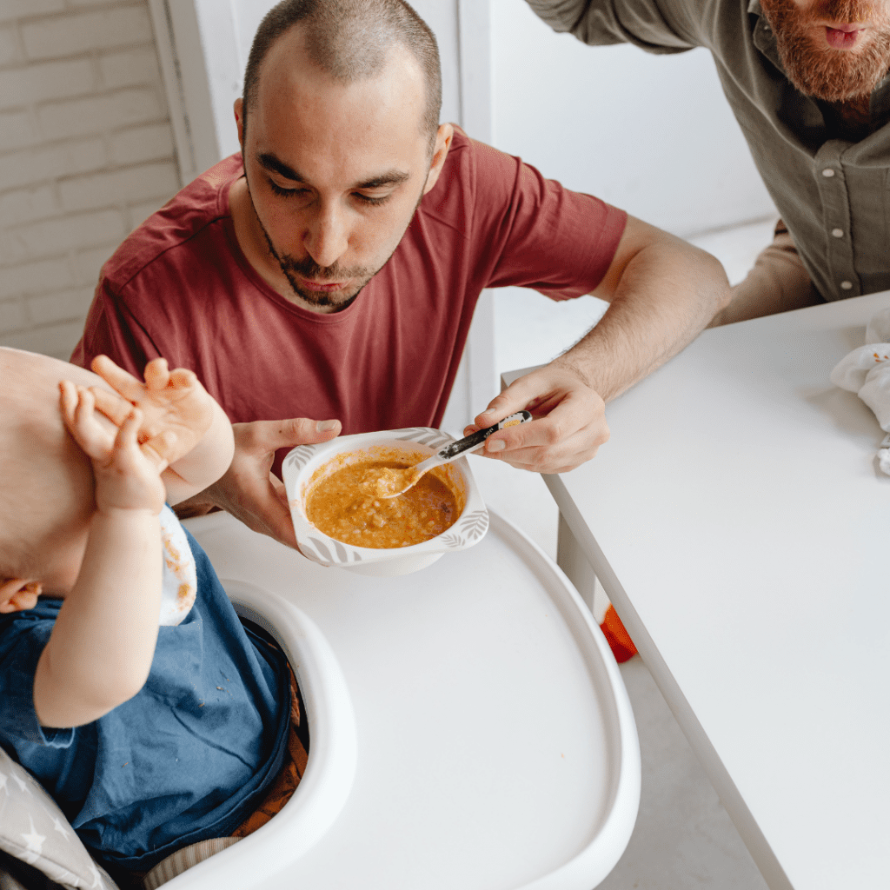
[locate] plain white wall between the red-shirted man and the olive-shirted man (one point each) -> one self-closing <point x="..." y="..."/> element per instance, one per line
<point x="652" y="134"/>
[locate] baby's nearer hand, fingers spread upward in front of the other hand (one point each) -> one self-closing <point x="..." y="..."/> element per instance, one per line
<point x="127" y="474"/>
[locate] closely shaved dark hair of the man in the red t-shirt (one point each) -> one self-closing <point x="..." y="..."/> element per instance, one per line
<point x="350" y="40"/>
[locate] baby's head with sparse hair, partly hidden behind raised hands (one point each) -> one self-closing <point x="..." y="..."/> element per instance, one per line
<point x="46" y="481"/>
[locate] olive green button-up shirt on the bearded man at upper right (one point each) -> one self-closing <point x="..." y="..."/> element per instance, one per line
<point x="834" y="195"/>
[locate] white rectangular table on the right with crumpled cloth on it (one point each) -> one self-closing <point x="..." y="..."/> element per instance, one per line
<point x="738" y="523"/>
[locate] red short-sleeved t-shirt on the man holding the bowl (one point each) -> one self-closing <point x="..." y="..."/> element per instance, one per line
<point x="180" y="287"/>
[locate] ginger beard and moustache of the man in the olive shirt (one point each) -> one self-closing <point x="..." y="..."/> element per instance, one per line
<point x="818" y="70"/>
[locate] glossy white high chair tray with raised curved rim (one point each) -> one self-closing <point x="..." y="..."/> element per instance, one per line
<point x="468" y="724"/>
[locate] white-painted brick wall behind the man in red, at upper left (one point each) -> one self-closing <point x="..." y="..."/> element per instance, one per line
<point x="86" y="153"/>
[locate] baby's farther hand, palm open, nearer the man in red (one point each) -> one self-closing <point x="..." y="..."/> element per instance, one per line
<point x="170" y="401"/>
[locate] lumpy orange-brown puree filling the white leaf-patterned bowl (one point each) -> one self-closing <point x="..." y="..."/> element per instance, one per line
<point x="344" y="505"/>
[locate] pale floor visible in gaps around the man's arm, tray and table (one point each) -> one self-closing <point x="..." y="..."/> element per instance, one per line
<point x="683" y="839"/>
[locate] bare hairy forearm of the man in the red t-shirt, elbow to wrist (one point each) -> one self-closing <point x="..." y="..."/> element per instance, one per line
<point x="667" y="294"/>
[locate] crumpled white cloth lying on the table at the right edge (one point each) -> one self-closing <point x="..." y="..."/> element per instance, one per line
<point x="866" y="371"/>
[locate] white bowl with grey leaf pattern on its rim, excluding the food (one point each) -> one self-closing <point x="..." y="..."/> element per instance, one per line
<point x="299" y="470"/>
